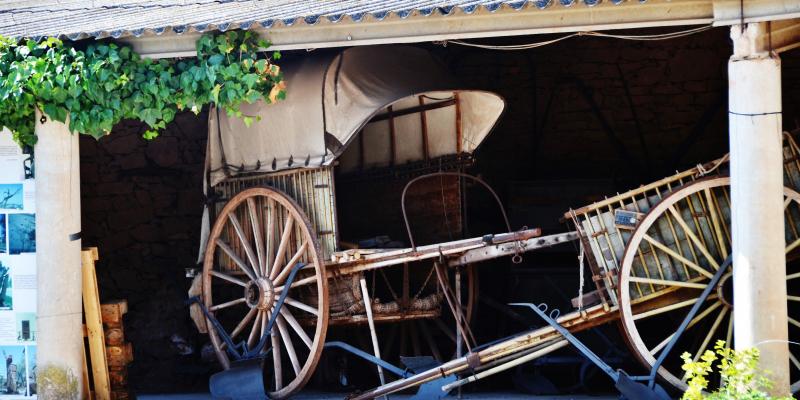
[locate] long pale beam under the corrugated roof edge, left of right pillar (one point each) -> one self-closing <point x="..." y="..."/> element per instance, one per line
<point x="458" y="25"/>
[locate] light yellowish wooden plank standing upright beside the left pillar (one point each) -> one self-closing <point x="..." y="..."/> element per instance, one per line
<point x="94" y="325"/>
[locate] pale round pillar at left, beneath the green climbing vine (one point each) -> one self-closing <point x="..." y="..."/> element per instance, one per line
<point x="59" y="356"/>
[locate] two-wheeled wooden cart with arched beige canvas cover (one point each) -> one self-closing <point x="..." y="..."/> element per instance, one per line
<point x="274" y="277"/>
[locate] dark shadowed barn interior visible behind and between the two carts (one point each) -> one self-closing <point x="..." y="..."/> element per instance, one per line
<point x="585" y="118"/>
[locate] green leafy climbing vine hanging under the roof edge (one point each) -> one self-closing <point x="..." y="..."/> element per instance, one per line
<point x="98" y="84"/>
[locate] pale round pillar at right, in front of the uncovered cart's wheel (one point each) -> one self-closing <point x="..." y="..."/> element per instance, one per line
<point x="759" y="260"/>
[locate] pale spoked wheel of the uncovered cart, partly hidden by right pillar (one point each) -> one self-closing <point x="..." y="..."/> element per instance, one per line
<point x="668" y="262"/>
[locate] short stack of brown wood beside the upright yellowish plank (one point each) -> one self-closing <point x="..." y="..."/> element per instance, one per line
<point x="118" y="352"/>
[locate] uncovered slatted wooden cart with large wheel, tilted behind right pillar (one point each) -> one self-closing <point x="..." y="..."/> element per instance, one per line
<point x="653" y="250"/>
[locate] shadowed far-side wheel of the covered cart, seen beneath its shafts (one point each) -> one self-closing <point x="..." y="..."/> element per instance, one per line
<point x="430" y="332"/>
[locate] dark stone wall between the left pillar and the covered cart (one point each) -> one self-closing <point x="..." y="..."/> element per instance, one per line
<point x="142" y="202"/>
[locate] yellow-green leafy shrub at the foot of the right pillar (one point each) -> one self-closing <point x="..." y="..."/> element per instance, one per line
<point x="740" y="378"/>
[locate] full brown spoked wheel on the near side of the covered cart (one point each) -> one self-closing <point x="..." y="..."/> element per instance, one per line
<point x="259" y="238"/>
